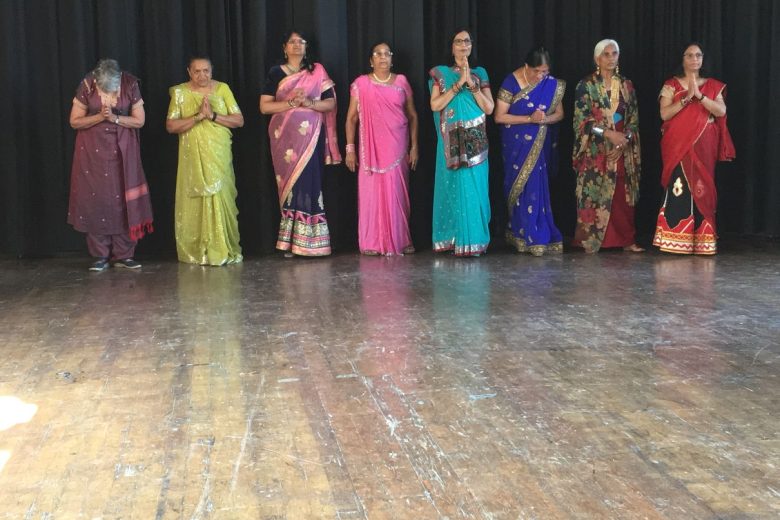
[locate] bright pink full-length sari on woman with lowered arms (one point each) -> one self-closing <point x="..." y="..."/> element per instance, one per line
<point x="383" y="174"/>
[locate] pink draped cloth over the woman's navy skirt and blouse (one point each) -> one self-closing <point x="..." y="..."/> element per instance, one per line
<point x="294" y="133"/>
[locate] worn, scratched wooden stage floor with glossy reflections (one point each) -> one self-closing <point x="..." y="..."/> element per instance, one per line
<point x="617" y="386"/>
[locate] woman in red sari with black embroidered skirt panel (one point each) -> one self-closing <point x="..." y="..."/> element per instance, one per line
<point x="694" y="138"/>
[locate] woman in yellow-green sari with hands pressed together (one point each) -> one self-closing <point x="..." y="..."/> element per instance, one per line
<point x="202" y="112"/>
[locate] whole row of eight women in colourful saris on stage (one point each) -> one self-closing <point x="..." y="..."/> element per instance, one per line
<point x="110" y="198"/>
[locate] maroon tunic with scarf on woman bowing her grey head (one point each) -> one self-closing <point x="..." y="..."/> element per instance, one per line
<point x="108" y="192"/>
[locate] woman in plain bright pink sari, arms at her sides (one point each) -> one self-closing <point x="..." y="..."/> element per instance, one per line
<point x="383" y="104"/>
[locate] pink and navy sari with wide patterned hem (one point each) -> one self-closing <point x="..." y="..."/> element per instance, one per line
<point x="302" y="142"/>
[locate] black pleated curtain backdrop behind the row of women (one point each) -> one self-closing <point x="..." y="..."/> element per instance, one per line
<point x="48" y="46"/>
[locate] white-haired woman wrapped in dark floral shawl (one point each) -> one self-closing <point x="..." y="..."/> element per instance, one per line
<point x="606" y="155"/>
